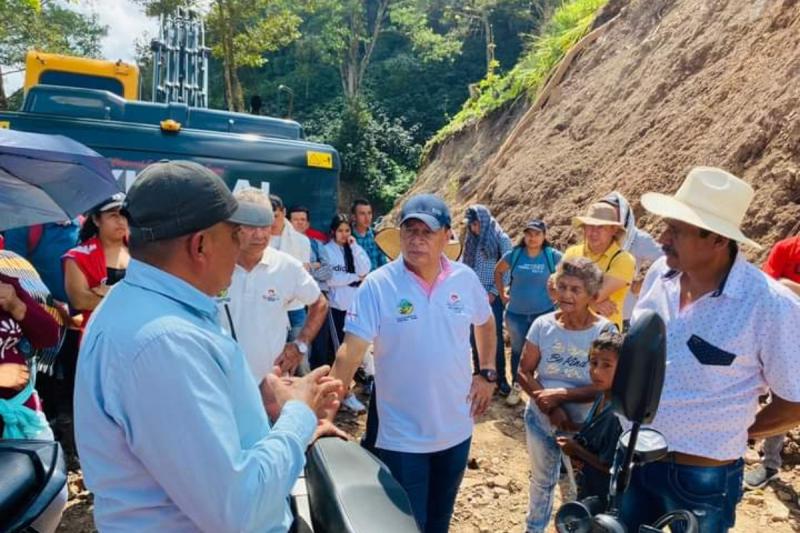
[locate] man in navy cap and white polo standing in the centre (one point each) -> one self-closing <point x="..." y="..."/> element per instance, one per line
<point x="417" y="310"/>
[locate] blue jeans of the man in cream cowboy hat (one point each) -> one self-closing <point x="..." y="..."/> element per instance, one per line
<point x="711" y="493"/>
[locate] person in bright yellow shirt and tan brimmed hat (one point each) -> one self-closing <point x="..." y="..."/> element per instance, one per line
<point x="602" y="234"/>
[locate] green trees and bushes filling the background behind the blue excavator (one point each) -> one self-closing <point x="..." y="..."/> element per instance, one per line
<point x="374" y="78"/>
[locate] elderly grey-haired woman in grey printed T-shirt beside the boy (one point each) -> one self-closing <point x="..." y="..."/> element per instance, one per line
<point x="555" y="373"/>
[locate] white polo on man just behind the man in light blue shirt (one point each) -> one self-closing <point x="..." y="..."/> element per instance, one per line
<point x="258" y="300"/>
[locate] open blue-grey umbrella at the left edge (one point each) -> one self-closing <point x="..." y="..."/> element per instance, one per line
<point x="48" y="178"/>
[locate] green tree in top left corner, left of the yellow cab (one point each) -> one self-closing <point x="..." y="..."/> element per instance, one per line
<point x="44" y="25"/>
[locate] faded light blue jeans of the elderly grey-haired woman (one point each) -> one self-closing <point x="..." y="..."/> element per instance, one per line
<point x="545" y="457"/>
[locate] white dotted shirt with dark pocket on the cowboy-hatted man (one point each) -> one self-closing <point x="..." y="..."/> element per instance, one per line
<point x="723" y="352"/>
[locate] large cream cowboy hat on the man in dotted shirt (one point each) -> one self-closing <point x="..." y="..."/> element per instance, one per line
<point x="710" y="199"/>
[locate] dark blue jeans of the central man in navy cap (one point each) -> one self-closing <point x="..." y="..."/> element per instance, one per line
<point x="431" y="481"/>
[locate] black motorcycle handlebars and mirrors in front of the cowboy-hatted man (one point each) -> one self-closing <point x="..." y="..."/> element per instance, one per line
<point x="636" y="392"/>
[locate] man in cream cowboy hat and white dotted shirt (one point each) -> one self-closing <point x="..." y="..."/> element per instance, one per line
<point x="731" y="335"/>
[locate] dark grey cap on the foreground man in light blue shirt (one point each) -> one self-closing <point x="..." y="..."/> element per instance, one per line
<point x="174" y="198"/>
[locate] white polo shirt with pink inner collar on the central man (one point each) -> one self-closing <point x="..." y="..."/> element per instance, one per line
<point x="423" y="363"/>
